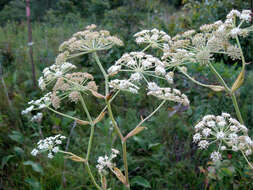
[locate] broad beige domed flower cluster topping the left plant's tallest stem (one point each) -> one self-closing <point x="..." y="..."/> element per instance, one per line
<point x="88" y="41"/>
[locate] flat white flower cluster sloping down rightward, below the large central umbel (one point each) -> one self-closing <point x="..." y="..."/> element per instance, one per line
<point x="167" y="94"/>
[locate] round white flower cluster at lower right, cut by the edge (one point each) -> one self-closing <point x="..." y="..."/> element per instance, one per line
<point x="224" y="131"/>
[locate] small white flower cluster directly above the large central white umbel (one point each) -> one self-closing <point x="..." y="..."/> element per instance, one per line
<point x="153" y="37"/>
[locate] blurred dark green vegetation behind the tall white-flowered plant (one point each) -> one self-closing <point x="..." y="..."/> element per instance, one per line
<point x="163" y="155"/>
